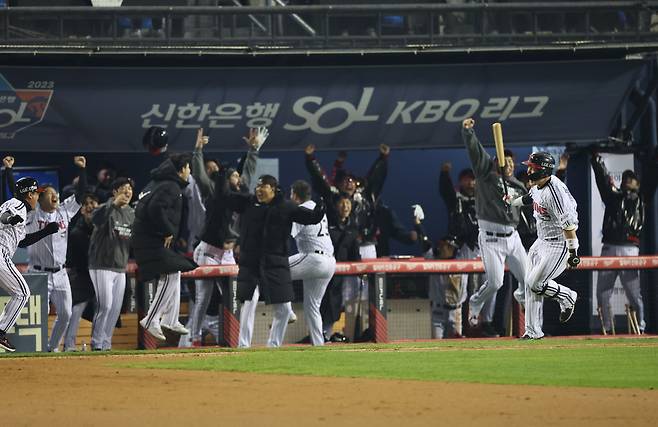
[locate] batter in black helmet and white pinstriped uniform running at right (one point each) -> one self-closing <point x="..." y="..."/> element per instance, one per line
<point x="557" y="244"/>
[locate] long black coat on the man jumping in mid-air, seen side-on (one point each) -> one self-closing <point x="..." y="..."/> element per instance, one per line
<point x="158" y="215"/>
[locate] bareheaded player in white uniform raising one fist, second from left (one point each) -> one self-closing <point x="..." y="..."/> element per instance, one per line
<point x="49" y="255"/>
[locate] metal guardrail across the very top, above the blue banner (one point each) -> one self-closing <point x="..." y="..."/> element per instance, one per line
<point x="328" y="28"/>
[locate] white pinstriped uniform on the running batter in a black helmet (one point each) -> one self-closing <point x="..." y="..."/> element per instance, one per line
<point x="554" y="211"/>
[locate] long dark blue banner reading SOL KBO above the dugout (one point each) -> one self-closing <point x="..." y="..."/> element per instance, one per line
<point x="108" y="109"/>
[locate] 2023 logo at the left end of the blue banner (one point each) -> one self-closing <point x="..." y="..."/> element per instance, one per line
<point x="22" y="108"/>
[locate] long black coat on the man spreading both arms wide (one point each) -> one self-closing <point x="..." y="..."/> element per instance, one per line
<point x="264" y="236"/>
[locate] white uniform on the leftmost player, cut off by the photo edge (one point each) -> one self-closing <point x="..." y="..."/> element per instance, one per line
<point x="11" y="279"/>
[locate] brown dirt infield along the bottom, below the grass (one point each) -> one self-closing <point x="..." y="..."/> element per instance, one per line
<point x="91" y="391"/>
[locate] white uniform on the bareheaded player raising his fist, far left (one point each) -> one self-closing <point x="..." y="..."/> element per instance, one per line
<point x="48" y="256"/>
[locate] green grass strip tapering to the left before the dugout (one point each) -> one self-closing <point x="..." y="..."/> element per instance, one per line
<point x="620" y="363"/>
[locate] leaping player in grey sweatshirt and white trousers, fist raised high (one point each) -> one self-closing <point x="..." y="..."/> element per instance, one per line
<point x="497" y="236"/>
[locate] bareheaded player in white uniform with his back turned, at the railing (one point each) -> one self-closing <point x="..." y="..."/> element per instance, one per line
<point x="315" y="263"/>
